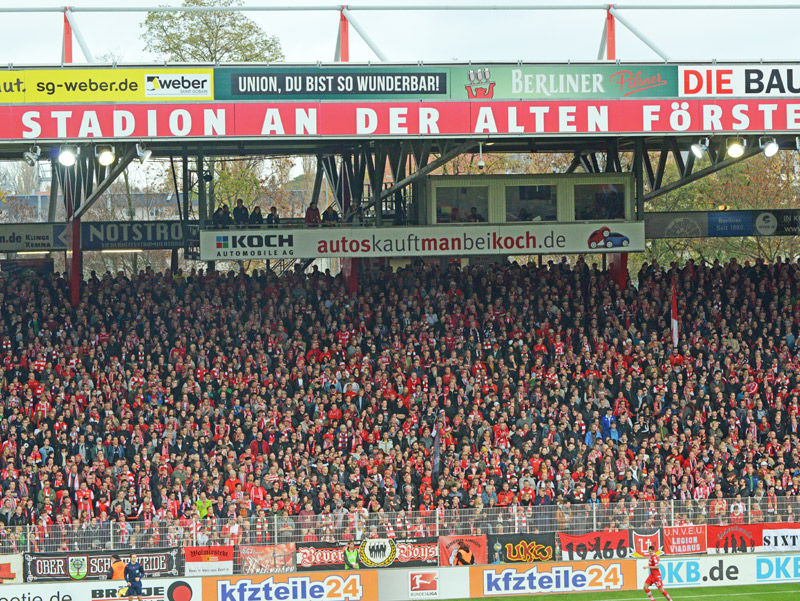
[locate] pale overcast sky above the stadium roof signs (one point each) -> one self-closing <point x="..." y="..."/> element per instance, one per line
<point x="436" y="36"/>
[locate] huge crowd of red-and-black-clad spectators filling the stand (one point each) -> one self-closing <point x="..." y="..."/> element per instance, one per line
<point x="211" y="407"/>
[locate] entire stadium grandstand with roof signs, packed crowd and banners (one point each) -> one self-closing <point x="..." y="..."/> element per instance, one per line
<point x="392" y="361"/>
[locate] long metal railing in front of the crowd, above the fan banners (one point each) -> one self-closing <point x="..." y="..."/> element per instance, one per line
<point x="341" y="525"/>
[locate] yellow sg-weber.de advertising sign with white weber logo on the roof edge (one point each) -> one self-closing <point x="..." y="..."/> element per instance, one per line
<point x="45" y="86"/>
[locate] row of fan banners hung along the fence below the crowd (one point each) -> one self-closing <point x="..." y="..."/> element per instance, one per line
<point x="239" y="556"/>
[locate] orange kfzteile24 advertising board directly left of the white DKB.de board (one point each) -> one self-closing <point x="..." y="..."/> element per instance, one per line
<point x="566" y="577"/>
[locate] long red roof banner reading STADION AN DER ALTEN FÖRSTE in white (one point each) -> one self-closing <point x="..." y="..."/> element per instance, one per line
<point x="397" y="119"/>
